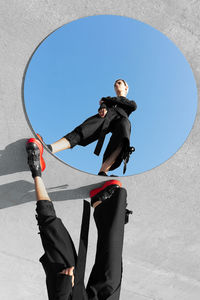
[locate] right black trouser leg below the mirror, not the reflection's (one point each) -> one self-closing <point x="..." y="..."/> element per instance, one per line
<point x="105" y="278"/>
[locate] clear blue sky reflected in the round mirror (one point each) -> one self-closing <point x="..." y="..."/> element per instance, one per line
<point x="77" y="65"/>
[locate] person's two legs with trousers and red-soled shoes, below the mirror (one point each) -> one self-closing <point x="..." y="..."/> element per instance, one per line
<point x="65" y="269"/>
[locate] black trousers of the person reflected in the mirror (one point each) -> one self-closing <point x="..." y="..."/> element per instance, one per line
<point x="90" y="130"/>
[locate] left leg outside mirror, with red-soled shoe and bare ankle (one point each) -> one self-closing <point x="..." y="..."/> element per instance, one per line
<point x="60" y="255"/>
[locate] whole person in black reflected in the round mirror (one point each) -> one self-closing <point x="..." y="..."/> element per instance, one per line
<point x="112" y="117"/>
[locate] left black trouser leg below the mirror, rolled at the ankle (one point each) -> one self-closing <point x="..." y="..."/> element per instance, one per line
<point x="59" y="253"/>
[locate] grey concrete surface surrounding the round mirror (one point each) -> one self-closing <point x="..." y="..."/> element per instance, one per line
<point x="162" y="241"/>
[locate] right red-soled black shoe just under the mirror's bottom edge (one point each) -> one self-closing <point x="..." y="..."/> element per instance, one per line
<point x="105" y="192"/>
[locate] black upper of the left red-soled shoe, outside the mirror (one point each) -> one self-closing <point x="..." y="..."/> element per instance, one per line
<point x="33" y="152"/>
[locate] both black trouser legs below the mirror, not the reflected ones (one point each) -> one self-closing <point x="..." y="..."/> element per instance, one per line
<point x="105" y="279"/>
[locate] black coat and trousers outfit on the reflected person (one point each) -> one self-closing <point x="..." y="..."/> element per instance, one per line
<point x="116" y="121"/>
